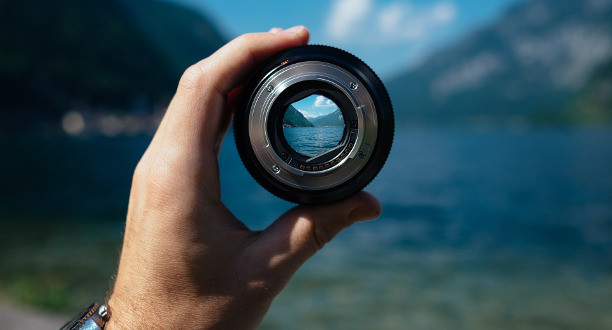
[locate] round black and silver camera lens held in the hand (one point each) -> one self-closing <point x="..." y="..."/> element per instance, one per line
<point x="313" y="125"/>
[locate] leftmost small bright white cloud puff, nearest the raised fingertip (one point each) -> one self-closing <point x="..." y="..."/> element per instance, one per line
<point x="345" y="14"/>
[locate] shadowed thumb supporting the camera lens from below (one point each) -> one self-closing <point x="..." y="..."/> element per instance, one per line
<point x="302" y="231"/>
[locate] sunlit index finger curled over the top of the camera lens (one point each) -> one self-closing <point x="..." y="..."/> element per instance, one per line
<point x="196" y="112"/>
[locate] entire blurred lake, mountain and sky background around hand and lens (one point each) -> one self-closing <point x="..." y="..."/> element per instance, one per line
<point x="497" y="196"/>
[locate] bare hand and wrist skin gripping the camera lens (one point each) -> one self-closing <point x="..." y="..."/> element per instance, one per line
<point x="186" y="261"/>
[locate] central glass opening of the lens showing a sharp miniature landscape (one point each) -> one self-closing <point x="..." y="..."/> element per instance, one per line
<point x="313" y="125"/>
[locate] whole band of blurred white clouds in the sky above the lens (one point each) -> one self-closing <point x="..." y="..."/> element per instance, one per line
<point x="394" y="22"/>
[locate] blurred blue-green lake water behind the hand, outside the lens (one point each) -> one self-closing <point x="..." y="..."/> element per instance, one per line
<point x="479" y="230"/>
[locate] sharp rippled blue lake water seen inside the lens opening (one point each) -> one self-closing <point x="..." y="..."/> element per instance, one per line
<point x="312" y="141"/>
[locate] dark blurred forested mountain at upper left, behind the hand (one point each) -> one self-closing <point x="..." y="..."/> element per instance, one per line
<point x="98" y="55"/>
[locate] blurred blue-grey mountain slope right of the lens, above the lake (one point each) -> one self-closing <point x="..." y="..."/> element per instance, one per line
<point x="532" y="63"/>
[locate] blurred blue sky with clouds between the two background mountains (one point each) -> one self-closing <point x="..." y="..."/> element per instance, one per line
<point x="389" y="35"/>
